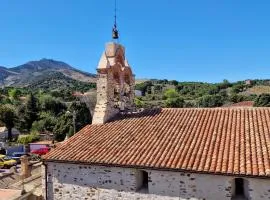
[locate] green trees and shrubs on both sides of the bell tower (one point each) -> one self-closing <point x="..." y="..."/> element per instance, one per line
<point x="51" y="110"/>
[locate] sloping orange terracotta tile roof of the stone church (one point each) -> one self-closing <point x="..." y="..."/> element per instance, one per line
<point x="207" y="140"/>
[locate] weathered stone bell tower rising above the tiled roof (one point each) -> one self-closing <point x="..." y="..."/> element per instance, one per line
<point x="115" y="84"/>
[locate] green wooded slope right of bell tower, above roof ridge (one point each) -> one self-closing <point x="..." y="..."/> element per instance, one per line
<point x="166" y="93"/>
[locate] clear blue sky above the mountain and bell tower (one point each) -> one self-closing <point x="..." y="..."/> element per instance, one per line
<point x="208" y="40"/>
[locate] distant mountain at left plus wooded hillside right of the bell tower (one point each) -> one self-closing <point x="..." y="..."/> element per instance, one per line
<point x="57" y="76"/>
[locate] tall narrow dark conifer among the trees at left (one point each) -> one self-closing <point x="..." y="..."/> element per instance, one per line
<point x="31" y="111"/>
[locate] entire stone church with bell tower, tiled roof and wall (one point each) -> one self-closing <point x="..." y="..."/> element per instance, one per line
<point x="195" y="153"/>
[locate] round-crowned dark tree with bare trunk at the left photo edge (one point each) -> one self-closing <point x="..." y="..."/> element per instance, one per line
<point x="8" y="117"/>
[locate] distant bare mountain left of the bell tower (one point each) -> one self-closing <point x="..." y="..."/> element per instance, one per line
<point x="45" y="71"/>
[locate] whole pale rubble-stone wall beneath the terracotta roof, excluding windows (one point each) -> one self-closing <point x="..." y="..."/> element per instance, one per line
<point x="73" y="181"/>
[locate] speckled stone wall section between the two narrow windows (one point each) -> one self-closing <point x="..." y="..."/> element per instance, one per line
<point x="190" y="185"/>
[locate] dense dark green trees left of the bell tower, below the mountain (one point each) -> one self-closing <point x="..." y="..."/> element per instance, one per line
<point x="36" y="111"/>
